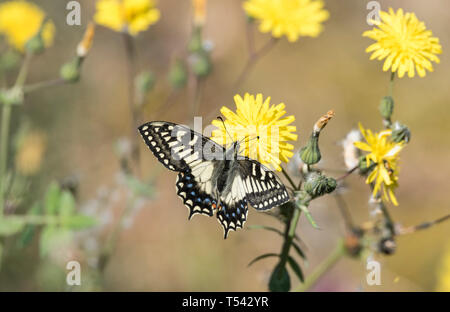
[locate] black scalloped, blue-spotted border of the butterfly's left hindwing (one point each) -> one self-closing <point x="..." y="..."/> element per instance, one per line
<point x="194" y="195"/>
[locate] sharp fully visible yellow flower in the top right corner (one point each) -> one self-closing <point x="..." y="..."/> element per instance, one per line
<point x="405" y="43"/>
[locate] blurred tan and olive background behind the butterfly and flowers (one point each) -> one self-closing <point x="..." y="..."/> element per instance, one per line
<point x="158" y="249"/>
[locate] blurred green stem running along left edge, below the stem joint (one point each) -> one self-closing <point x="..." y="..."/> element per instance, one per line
<point x="4" y="136"/>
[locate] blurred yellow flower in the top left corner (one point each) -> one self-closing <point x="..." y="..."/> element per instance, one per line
<point x="20" y="21"/>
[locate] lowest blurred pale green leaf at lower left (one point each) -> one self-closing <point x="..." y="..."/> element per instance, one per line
<point x="53" y="238"/>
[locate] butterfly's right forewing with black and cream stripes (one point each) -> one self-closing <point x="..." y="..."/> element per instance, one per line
<point x="263" y="188"/>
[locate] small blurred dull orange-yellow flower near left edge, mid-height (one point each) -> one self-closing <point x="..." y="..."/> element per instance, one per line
<point x="30" y="153"/>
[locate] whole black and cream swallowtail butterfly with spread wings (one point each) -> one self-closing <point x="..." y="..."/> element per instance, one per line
<point x="212" y="179"/>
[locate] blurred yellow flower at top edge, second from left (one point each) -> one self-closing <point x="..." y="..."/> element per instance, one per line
<point x="132" y="16"/>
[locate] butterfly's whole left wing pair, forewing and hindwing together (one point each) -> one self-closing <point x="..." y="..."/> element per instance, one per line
<point x="180" y="149"/>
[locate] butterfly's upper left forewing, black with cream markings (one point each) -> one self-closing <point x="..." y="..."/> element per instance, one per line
<point x="177" y="147"/>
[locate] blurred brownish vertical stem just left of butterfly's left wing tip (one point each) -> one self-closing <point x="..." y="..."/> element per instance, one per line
<point x="134" y="113"/>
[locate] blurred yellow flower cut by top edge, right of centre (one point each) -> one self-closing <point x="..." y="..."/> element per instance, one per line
<point x="291" y="18"/>
